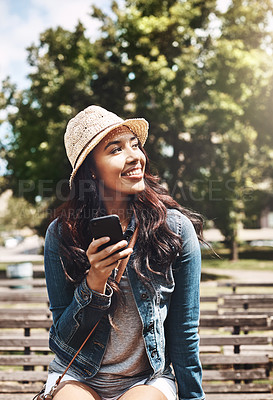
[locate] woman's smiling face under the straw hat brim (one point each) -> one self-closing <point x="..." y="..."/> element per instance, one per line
<point x="119" y="163"/>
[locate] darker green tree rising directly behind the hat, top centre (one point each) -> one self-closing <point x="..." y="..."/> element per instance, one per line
<point x="159" y="45"/>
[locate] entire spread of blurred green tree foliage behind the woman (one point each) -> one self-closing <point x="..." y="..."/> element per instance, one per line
<point x="202" y="77"/>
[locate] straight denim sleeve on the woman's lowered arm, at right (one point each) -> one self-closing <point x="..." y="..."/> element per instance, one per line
<point x="183" y="315"/>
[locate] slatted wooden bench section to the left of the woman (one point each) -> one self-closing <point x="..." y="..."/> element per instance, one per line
<point x="24" y="354"/>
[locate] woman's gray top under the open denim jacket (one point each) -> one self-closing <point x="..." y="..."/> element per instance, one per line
<point x="125" y="361"/>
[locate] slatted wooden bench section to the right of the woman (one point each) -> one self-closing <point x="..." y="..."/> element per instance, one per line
<point x="236" y="366"/>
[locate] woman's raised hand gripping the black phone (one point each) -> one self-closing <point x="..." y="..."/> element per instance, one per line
<point x="103" y="262"/>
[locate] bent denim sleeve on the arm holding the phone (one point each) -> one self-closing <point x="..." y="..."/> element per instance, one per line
<point x="74" y="311"/>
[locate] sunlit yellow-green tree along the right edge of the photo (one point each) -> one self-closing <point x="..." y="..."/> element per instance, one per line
<point x="237" y="79"/>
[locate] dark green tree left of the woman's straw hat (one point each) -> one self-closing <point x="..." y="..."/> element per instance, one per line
<point x="60" y="85"/>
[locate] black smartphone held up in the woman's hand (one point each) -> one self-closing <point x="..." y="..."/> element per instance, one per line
<point x="108" y="225"/>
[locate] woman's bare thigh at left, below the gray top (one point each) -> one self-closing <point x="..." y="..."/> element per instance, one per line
<point x="72" y="390"/>
